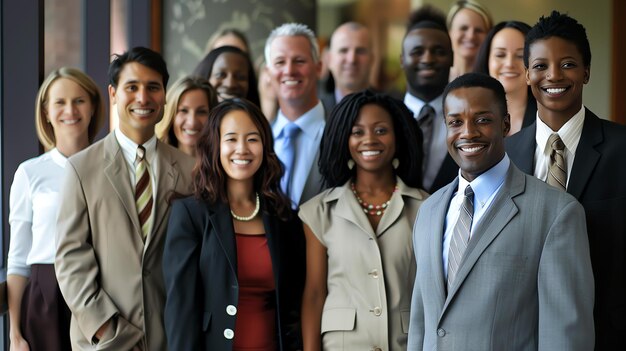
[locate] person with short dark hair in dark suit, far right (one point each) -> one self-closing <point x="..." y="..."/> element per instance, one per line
<point x="587" y="159"/>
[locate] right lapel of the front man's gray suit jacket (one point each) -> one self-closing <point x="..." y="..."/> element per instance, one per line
<point x="500" y="212"/>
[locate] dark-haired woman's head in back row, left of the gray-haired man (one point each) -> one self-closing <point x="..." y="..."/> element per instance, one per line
<point x="230" y="72"/>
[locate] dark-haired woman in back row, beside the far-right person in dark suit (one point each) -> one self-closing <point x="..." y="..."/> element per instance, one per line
<point x="502" y="57"/>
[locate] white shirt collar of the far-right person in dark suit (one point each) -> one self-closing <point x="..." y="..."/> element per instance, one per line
<point x="569" y="133"/>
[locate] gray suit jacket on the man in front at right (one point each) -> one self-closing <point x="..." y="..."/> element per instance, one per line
<point x="524" y="283"/>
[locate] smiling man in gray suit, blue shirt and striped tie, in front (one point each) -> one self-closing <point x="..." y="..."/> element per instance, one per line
<point x="502" y="258"/>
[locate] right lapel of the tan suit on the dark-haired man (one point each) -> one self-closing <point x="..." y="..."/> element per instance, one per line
<point x="166" y="183"/>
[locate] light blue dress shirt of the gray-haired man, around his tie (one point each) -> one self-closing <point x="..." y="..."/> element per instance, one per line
<point x="311" y="125"/>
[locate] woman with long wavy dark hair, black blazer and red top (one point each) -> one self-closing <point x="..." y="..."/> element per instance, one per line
<point x="234" y="250"/>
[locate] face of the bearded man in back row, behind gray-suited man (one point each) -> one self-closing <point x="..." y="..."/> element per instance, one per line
<point x="426" y="60"/>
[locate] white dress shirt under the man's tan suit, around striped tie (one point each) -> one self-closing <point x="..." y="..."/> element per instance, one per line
<point x="129" y="150"/>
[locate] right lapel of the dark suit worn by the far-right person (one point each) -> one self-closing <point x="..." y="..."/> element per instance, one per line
<point x="586" y="155"/>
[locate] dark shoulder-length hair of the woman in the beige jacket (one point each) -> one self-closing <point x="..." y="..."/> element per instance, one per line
<point x="334" y="151"/>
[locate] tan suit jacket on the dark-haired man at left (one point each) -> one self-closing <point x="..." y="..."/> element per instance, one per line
<point x="103" y="266"/>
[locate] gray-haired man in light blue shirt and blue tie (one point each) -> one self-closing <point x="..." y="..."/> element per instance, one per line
<point x="293" y="61"/>
